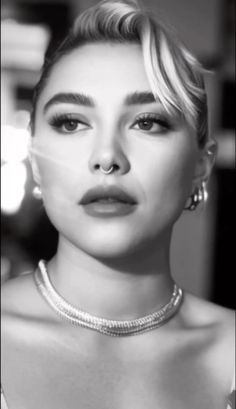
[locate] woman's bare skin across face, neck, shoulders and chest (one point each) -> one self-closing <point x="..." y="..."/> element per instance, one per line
<point x="115" y="267"/>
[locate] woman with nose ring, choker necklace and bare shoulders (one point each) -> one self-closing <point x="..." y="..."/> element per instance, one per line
<point x="120" y="147"/>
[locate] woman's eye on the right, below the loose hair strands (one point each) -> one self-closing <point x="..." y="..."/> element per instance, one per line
<point x="151" y="123"/>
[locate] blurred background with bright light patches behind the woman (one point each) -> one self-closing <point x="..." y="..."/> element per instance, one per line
<point x="203" y="241"/>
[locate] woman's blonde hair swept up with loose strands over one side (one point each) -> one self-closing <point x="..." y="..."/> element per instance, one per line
<point x="175" y="76"/>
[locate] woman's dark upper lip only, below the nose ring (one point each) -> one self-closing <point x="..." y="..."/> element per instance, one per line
<point x="107" y="192"/>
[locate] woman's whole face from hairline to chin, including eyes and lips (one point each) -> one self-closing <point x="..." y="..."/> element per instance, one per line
<point x="96" y="111"/>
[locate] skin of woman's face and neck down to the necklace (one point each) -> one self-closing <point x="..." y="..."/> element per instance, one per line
<point x="157" y="167"/>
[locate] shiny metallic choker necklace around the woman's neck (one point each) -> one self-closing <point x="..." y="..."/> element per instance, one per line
<point x="103" y="325"/>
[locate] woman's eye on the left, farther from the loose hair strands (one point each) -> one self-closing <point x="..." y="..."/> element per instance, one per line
<point x="67" y="123"/>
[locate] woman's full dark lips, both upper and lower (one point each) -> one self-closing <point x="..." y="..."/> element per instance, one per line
<point x="108" y="201"/>
